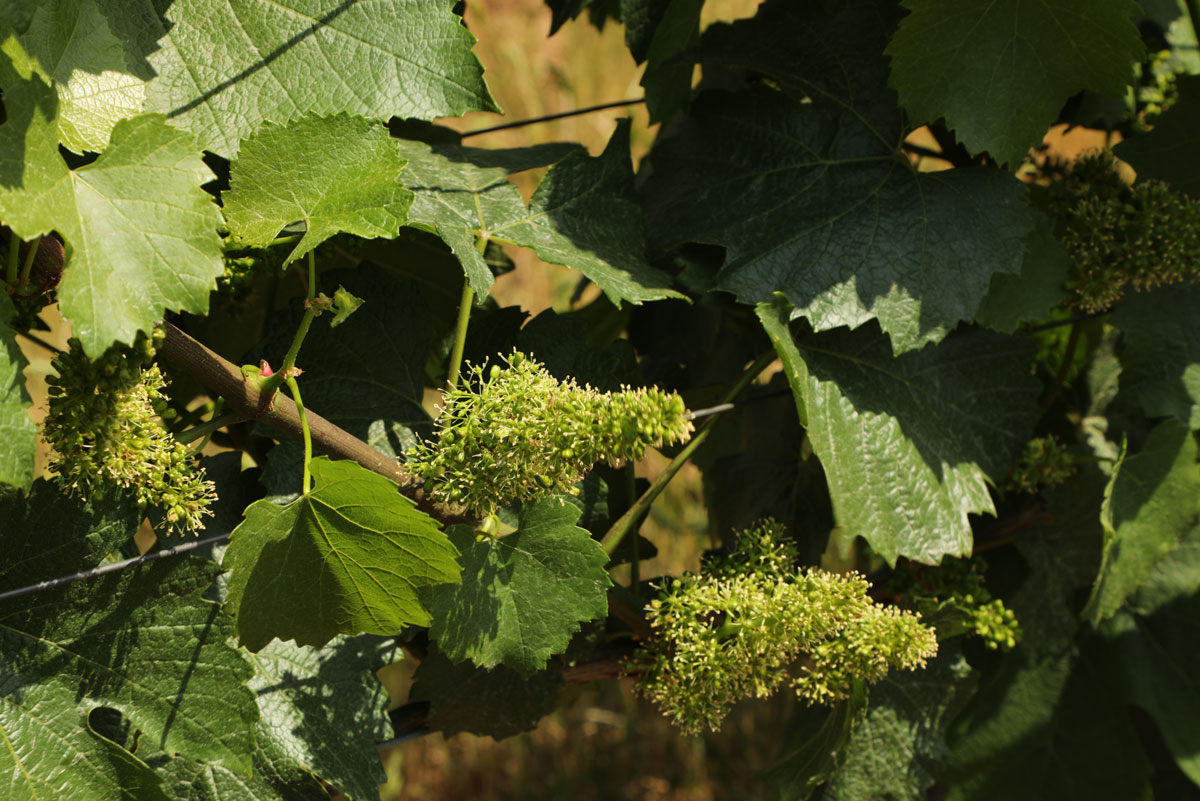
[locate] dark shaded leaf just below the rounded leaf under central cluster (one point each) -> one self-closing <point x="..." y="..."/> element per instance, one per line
<point x="496" y="703"/>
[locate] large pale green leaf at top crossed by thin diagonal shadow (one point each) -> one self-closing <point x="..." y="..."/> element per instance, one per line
<point x="227" y="67"/>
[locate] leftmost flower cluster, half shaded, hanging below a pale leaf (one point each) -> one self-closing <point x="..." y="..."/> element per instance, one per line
<point x="105" y="427"/>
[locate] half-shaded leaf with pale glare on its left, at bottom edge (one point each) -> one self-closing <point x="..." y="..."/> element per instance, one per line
<point x="310" y="698"/>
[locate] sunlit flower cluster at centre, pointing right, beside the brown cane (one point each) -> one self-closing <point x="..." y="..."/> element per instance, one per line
<point x="517" y="433"/>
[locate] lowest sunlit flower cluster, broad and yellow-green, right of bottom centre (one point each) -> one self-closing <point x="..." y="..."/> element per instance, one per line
<point x="751" y="622"/>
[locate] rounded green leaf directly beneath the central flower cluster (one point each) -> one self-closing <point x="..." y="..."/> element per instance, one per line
<point x="524" y="595"/>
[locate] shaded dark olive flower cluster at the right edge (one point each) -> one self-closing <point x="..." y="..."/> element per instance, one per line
<point x="1120" y="237"/>
